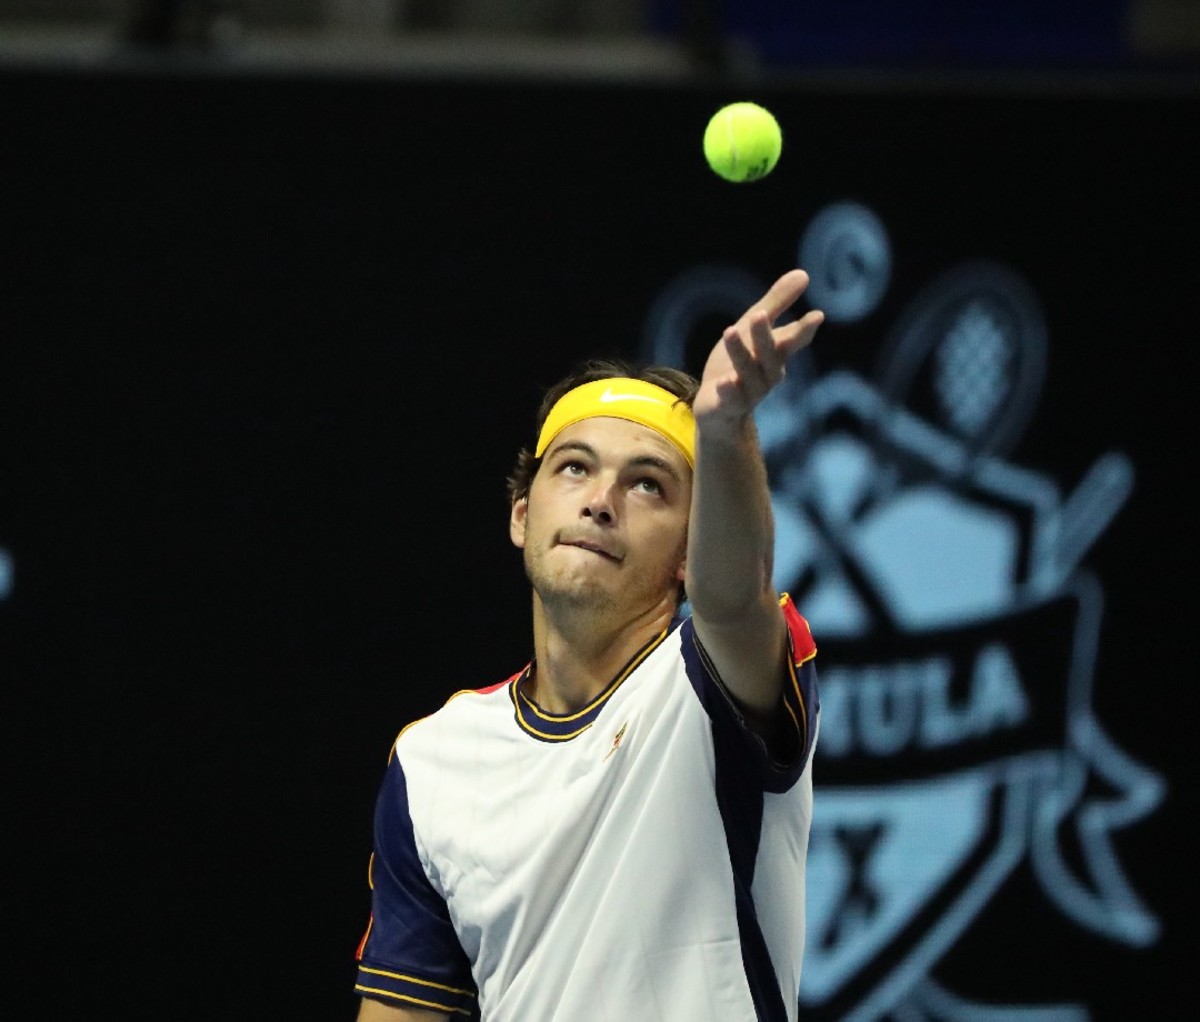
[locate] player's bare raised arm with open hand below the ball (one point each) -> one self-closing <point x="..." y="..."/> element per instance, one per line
<point x="731" y="534"/>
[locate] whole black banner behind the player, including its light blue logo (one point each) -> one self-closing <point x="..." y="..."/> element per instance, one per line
<point x="272" y="342"/>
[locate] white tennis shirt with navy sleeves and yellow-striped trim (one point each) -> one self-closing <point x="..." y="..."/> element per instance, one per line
<point x="641" y="861"/>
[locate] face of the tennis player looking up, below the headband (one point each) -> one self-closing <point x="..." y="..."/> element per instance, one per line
<point x="605" y="526"/>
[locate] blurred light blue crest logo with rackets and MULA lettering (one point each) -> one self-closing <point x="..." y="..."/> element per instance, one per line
<point x="958" y="629"/>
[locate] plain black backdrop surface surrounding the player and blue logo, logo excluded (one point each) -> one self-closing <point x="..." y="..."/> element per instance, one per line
<point x="269" y="345"/>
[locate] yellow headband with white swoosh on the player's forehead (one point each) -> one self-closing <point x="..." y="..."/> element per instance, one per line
<point x="621" y="398"/>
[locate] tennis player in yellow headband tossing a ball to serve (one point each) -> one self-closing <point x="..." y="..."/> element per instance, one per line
<point x="619" y="832"/>
